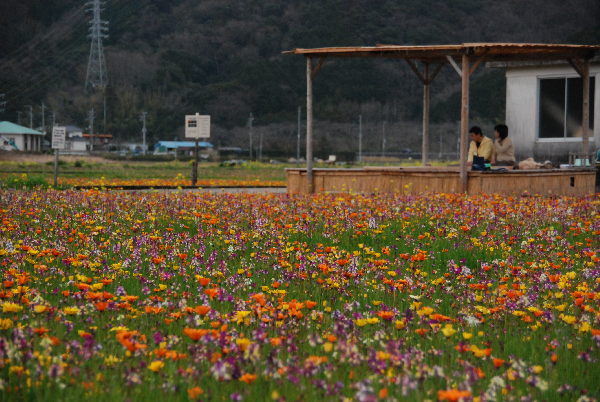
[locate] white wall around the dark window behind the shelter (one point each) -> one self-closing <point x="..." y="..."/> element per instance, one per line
<point x="522" y="114"/>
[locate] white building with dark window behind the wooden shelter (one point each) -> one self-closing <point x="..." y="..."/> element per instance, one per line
<point x="544" y="107"/>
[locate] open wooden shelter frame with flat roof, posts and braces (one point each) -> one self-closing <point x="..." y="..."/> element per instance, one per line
<point x="464" y="58"/>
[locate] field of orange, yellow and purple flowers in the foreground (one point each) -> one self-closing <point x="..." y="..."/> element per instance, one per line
<point x="197" y="296"/>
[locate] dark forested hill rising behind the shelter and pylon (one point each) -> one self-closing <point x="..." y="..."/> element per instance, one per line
<point x="223" y="57"/>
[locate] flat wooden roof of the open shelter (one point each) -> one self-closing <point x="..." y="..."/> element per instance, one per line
<point x="499" y="52"/>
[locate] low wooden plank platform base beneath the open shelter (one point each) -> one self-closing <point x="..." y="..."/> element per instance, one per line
<point x="418" y="180"/>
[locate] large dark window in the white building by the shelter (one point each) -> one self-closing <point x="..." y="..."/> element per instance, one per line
<point x="561" y="107"/>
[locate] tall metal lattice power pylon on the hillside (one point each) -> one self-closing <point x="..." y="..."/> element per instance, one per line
<point x="96" y="75"/>
